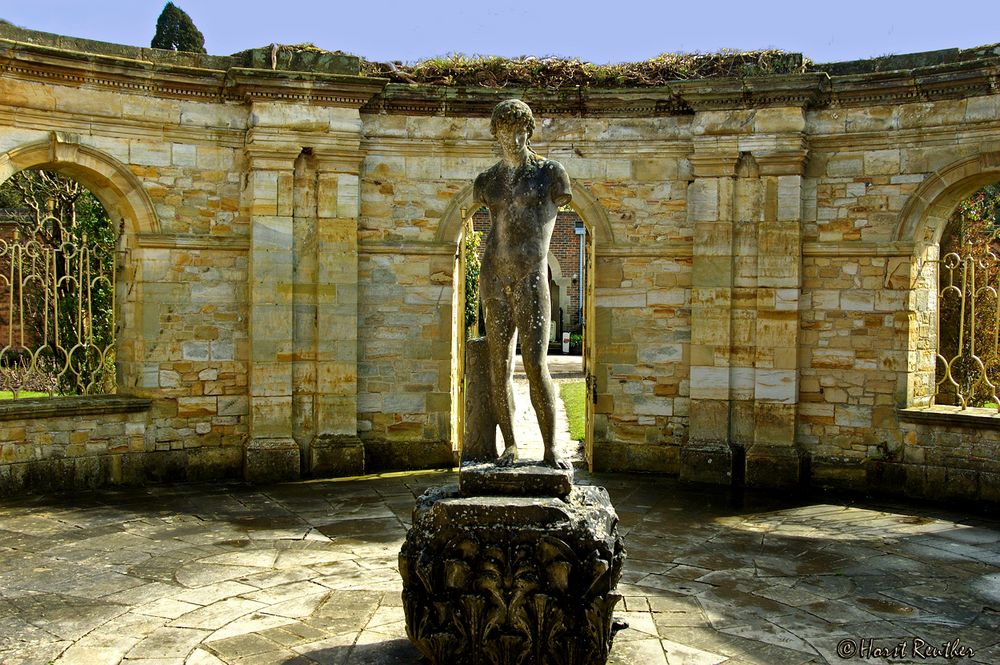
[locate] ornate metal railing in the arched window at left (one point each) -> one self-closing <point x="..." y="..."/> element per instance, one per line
<point x="57" y="294"/>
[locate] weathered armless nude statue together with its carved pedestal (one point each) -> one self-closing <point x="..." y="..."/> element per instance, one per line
<point x="515" y="565"/>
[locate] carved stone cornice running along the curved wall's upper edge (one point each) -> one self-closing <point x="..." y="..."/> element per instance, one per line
<point x="218" y="79"/>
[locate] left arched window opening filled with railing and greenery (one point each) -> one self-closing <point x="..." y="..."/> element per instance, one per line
<point x="57" y="288"/>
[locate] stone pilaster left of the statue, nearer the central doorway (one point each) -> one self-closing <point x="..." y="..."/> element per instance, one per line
<point x="336" y="450"/>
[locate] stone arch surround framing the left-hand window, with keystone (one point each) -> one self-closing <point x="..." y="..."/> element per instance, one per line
<point x="129" y="213"/>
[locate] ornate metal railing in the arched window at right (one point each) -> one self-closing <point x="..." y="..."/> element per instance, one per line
<point x="968" y="366"/>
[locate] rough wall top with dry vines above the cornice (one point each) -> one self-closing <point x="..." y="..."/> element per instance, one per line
<point x="526" y="72"/>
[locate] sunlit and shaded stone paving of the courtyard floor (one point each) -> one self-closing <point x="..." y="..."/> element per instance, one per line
<point x="306" y="573"/>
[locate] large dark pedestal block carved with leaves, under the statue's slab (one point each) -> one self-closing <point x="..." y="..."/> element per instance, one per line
<point x="508" y="579"/>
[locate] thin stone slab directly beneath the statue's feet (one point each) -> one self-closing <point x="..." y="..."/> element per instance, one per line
<point x="520" y="479"/>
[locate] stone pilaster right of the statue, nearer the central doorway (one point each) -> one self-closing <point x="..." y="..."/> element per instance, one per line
<point x="707" y="456"/>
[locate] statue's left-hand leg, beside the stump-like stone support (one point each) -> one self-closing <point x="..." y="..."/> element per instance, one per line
<point x="500" y="341"/>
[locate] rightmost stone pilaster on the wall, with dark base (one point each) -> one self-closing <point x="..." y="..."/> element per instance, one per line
<point x="773" y="460"/>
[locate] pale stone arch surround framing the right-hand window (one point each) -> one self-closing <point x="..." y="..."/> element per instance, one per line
<point x="923" y="221"/>
